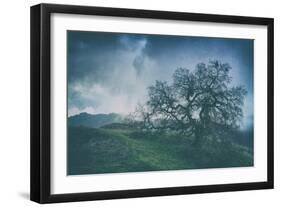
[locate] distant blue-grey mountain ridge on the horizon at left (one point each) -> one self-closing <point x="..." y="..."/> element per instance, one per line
<point x="94" y="120"/>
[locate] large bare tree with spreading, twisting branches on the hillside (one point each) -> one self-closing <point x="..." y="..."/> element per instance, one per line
<point x="198" y="104"/>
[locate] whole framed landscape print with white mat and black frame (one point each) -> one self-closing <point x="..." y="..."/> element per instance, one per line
<point x="133" y="103"/>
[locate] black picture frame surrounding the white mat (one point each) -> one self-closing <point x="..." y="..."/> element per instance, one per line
<point x="40" y="184"/>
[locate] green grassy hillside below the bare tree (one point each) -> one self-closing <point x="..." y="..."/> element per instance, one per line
<point x="120" y="149"/>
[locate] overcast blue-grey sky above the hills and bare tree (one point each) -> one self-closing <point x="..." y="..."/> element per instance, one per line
<point x="110" y="72"/>
